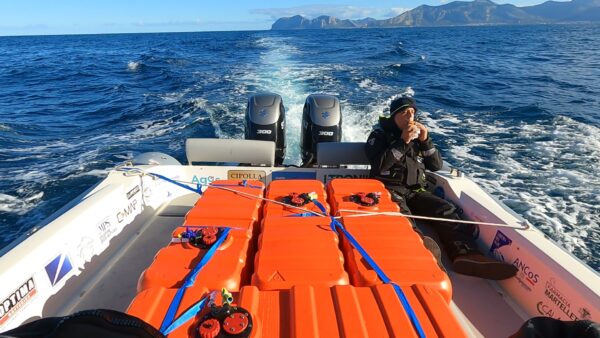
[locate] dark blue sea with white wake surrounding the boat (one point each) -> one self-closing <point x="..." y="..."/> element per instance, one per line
<point x="516" y="107"/>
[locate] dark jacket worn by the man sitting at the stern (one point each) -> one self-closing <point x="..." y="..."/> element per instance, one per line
<point x="398" y="165"/>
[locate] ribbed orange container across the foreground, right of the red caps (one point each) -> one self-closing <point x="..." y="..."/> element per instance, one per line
<point x="347" y="311"/>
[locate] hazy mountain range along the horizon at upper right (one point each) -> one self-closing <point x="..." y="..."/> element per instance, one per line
<point x="459" y="13"/>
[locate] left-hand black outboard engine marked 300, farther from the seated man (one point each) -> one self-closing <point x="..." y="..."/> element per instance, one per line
<point x="265" y="121"/>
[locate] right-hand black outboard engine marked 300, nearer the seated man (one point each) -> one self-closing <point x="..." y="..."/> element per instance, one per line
<point x="321" y="122"/>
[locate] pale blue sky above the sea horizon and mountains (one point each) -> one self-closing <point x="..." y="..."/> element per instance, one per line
<point x="26" y="17"/>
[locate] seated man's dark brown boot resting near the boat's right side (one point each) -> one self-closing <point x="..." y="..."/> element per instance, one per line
<point x="469" y="261"/>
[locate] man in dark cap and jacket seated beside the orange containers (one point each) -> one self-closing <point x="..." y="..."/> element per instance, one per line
<point x="399" y="151"/>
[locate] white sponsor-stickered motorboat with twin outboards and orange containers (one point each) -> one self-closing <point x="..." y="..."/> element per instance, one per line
<point x="234" y="243"/>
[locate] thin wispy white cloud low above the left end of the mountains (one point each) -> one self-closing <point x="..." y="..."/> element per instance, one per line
<point x="342" y="12"/>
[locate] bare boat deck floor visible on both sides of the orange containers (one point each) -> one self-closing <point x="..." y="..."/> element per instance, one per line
<point x="109" y="281"/>
